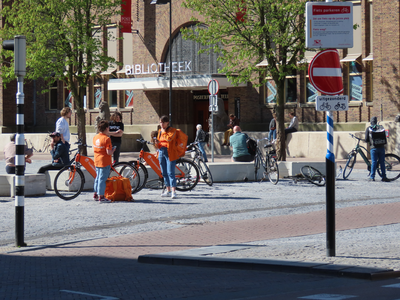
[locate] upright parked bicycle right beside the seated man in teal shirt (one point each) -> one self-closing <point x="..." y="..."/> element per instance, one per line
<point x="269" y="163"/>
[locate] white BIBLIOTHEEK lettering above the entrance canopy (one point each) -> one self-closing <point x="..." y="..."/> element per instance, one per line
<point x="177" y="67"/>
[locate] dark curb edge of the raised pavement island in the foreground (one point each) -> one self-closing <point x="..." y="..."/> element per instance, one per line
<point x="192" y="258"/>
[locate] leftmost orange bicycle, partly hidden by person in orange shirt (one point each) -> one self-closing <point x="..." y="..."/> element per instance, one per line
<point x="70" y="180"/>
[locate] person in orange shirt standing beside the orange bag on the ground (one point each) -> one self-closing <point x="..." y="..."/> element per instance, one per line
<point x="103" y="150"/>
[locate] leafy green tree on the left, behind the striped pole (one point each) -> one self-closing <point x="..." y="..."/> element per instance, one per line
<point x="62" y="43"/>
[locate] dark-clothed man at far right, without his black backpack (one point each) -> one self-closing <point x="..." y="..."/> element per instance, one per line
<point x="377" y="153"/>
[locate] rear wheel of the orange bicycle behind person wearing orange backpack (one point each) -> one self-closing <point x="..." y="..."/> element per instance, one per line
<point x="186" y="174"/>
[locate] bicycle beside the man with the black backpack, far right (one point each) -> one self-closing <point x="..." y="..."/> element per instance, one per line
<point x="392" y="162"/>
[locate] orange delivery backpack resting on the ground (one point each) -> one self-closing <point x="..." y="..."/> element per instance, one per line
<point x="118" y="188"/>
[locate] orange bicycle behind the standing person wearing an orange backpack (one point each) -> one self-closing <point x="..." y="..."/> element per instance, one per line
<point x="186" y="172"/>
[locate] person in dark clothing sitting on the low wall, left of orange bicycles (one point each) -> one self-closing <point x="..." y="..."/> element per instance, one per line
<point x="59" y="154"/>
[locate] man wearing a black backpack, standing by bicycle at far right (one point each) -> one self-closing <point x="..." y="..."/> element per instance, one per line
<point x="375" y="135"/>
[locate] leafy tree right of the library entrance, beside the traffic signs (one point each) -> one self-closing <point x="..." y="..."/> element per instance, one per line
<point x="247" y="32"/>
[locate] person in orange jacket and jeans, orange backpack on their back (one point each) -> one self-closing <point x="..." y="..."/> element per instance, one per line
<point x="167" y="156"/>
